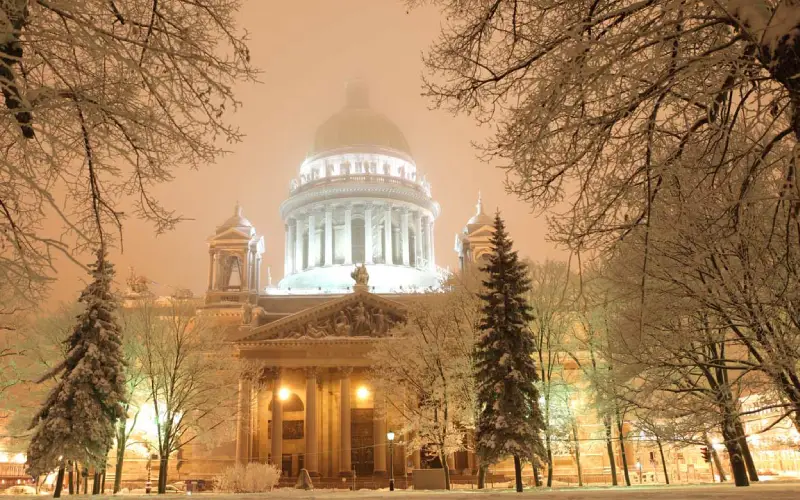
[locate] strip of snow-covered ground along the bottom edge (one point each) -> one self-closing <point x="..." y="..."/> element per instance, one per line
<point x="771" y="491"/>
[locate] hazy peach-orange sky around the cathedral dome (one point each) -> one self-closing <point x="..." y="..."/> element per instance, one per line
<point x="307" y="51"/>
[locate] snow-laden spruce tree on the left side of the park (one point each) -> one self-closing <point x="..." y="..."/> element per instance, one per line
<point x="77" y="420"/>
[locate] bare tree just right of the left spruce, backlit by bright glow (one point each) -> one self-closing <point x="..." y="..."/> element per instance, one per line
<point x="188" y="371"/>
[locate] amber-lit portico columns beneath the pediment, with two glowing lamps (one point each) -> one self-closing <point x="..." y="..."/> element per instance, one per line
<point x="326" y="420"/>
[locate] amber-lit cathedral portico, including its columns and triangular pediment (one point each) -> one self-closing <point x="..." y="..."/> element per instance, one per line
<point x="305" y="400"/>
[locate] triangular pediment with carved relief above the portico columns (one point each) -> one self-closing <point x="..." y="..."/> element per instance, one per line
<point x="359" y="314"/>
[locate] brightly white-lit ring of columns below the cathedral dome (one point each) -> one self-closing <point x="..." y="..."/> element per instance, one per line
<point x="347" y="233"/>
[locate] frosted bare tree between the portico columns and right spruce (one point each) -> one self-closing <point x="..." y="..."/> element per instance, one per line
<point x="429" y="362"/>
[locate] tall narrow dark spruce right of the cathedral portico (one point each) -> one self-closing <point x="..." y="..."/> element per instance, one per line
<point x="509" y="418"/>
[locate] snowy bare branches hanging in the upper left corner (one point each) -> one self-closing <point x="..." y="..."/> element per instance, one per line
<point x="103" y="100"/>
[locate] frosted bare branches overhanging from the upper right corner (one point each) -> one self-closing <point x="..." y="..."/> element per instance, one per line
<point x="595" y="101"/>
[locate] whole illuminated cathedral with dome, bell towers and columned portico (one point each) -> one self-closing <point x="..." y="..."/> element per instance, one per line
<point x="359" y="221"/>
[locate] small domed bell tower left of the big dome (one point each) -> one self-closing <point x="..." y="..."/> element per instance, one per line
<point x="234" y="271"/>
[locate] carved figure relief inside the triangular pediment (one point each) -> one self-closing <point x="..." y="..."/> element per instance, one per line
<point x="358" y="320"/>
